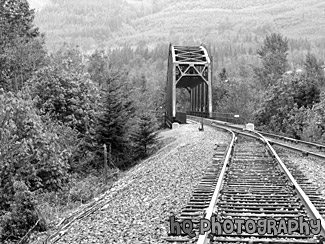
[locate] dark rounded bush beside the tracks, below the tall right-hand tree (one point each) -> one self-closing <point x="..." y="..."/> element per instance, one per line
<point x="284" y="103"/>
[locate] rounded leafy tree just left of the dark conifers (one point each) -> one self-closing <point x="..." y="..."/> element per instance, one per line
<point x="68" y="97"/>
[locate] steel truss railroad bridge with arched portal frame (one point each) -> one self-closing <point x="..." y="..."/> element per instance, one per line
<point x="189" y="67"/>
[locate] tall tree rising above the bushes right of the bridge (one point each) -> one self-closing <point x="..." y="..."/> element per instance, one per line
<point x="273" y="55"/>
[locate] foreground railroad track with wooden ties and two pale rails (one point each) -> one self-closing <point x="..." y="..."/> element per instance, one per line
<point x="251" y="185"/>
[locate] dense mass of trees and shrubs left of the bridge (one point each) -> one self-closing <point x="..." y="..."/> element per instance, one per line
<point x="57" y="111"/>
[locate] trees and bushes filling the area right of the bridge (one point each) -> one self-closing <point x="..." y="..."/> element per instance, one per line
<point x="276" y="97"/>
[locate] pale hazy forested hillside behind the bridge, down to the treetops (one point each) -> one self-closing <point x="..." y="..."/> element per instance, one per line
<point x="232" y="30"/>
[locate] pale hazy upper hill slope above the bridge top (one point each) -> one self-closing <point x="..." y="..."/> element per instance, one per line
<point x="108" y="23"/>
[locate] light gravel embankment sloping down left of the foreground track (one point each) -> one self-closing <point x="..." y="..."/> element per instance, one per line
<point x="152" y="191"/>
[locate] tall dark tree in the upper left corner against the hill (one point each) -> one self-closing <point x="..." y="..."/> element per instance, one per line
<point x="21" y="47"/>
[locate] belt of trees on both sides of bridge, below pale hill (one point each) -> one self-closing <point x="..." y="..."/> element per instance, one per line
<point x="58" y="110"/>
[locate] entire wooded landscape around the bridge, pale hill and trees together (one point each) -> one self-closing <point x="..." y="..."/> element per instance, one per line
<point x="84" y="103"/>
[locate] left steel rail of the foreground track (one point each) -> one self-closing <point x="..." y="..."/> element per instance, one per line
<point x="203" y="239"/>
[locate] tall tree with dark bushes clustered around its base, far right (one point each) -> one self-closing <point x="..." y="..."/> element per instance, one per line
<point x="289" y="101"/>
